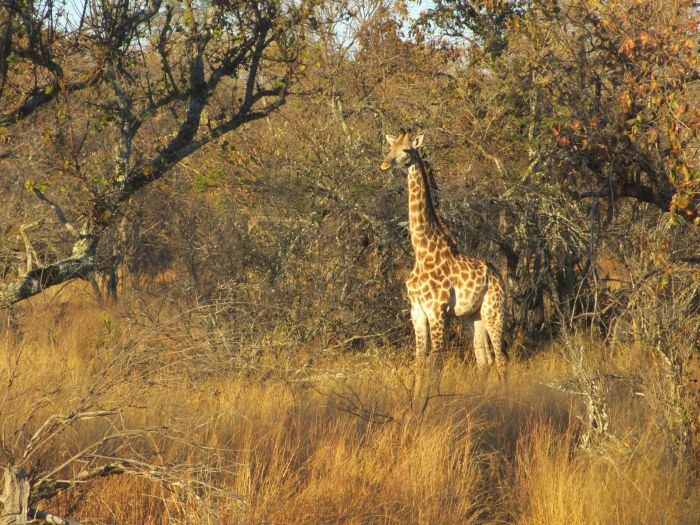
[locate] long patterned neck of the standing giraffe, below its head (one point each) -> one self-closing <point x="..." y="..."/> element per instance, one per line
<point x="424" y="223"/>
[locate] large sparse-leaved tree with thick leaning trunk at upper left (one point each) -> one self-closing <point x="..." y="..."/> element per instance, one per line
<point x="114" y="96"/>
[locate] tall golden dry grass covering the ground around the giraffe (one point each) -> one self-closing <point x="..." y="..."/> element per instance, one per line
<point x="321" y="437"/>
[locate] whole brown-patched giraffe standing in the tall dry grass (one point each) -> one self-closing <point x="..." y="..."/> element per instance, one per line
<point x="444" y="281"/>
